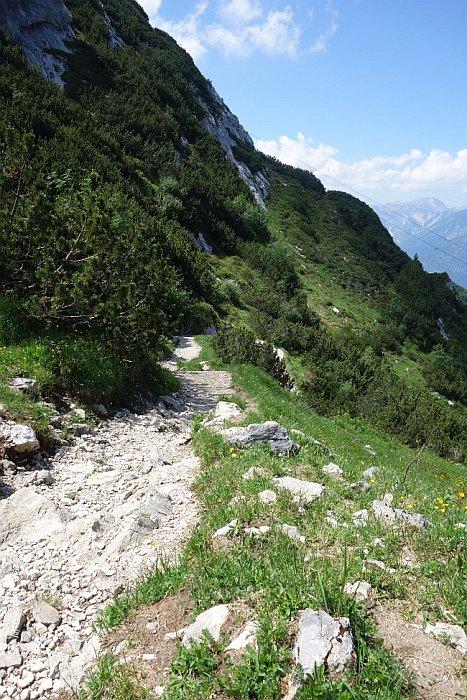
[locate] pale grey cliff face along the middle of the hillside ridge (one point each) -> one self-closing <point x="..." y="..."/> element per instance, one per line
<point x="225" y="127"/>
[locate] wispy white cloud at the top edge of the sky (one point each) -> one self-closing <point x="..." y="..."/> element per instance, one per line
<point x="241" y="28"/>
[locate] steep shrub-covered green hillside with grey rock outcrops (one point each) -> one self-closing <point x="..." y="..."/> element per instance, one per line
<point x="121" y="167"/>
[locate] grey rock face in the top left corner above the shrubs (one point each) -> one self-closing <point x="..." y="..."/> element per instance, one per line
<point x="39" y="26"/>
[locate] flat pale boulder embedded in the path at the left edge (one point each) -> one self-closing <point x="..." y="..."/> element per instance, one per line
<point x="27" y="515"/>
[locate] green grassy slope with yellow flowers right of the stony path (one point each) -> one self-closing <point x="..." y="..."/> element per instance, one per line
<point x="276" y="578"/>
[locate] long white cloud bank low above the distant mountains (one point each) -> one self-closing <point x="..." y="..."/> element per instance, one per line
<point x="413" y="171"/>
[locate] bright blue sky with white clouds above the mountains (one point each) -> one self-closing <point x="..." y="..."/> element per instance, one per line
<point x="369" y="94"/>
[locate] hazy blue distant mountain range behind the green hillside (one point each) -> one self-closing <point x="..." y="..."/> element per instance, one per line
<point x="428" y="228"/>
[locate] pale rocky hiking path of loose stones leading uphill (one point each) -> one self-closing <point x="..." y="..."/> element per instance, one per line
<point x="89" y="521"/>
